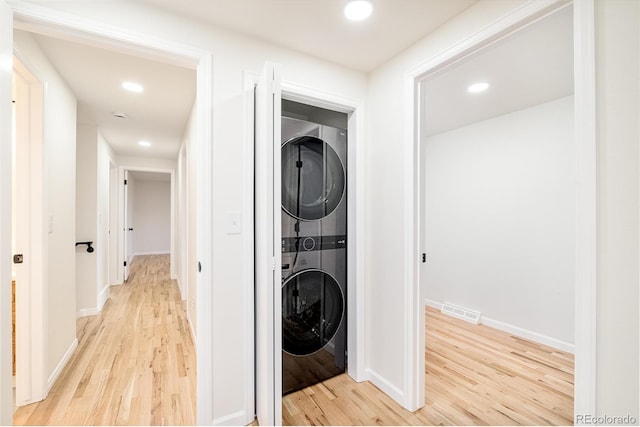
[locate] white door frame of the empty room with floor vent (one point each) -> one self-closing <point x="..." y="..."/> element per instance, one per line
<point x="585" y="107"/>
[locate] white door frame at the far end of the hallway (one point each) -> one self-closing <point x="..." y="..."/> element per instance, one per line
<point x="122" y="215"/>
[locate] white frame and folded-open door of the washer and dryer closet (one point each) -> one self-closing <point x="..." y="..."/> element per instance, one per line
<point x="266" y="94"/>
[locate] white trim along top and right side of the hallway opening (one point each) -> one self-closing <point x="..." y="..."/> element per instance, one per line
<point x="179" y="54"/>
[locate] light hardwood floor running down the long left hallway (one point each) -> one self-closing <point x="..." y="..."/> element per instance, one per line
<point x="135" y="362"/>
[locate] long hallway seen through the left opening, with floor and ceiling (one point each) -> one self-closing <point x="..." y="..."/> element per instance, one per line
<point x="141" y="325"/>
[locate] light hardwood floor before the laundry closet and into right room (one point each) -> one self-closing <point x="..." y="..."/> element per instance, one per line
<point x="475" y="375"/>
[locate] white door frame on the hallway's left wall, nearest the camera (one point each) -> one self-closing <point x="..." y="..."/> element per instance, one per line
<point x="31" y="379"/>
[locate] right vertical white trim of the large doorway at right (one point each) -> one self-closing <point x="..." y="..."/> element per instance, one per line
<point x="586" y="207"/>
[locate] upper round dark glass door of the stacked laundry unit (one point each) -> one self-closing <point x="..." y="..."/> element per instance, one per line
<point x="313" y="179"/>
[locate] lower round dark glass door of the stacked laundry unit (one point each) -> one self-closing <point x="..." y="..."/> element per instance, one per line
<point x="312" y="307"/>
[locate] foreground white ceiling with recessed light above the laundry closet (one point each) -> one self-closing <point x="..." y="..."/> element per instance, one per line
<point x="319" y="28"/>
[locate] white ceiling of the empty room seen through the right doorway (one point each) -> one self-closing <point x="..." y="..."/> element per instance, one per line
<point x="528" y="68"/>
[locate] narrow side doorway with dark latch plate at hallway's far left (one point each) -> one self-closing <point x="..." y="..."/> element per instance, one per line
<point x="28" y="236"/>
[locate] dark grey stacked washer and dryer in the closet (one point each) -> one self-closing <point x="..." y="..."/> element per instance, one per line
<point x="314" y="252"/>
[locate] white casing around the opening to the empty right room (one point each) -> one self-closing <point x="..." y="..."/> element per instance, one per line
<point x="584" y="240"/>
